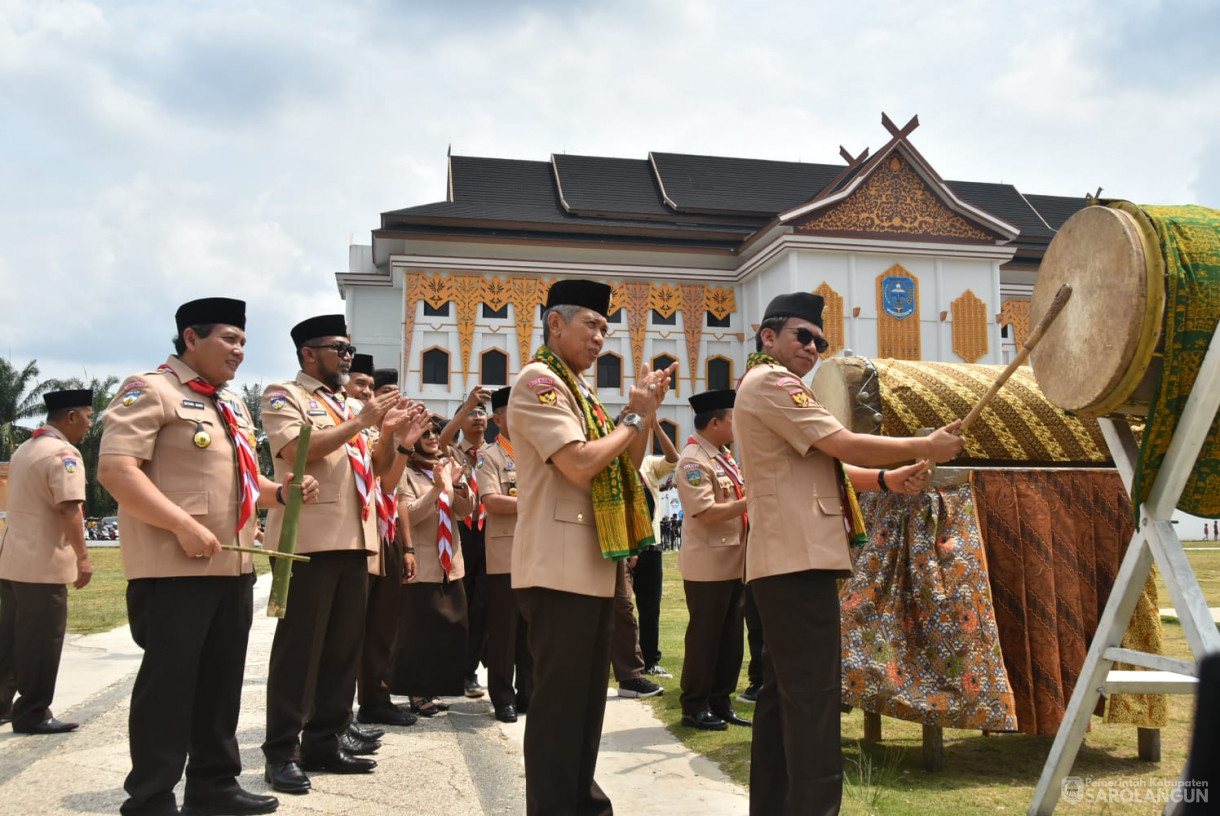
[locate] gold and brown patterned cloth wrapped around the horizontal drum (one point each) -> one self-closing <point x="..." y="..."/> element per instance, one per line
<point x="1019" y="426"/>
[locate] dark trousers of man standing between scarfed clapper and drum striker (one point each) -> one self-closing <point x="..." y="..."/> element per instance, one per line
<point x="714" y="648"/>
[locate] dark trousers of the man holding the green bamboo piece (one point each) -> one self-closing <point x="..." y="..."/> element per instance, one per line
<point x="188" y="691"/>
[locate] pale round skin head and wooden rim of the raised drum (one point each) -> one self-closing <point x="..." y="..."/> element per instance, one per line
<point x="1095" y="354"/>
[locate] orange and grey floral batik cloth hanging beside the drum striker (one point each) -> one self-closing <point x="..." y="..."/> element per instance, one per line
<point x="919" y="634"/>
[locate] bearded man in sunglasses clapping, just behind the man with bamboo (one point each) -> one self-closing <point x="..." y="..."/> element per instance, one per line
<point x="315" y="654"/>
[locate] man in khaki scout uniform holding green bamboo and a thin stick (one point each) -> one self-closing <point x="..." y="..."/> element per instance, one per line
<point x="179" y="454"/>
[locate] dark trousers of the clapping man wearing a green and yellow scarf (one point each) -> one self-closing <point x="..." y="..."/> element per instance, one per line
<point x="570" y="642"/>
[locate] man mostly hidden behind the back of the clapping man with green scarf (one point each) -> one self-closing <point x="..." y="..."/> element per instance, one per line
<point x="508" y="651"/>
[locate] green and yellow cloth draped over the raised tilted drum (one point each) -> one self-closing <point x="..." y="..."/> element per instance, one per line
<point x="1190" y="242"/>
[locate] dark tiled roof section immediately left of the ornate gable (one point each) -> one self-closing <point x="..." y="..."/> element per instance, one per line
<point x="748" y="186"/>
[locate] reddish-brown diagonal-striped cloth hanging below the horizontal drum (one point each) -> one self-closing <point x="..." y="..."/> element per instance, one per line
<point x="1055" y="542"/>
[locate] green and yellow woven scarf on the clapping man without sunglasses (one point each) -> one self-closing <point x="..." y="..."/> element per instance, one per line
<point x="619" y="504"/>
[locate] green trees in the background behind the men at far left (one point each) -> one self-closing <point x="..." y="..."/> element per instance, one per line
<point x="23" y="412"/>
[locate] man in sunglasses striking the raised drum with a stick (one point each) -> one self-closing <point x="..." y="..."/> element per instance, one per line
<point x="798" y="547"/>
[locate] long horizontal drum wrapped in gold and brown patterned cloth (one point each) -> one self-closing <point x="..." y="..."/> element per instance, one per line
<point x="897" y="398"/>
